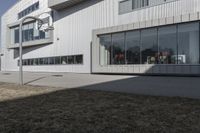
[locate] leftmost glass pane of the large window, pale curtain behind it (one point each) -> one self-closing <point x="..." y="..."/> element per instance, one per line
<point x="105" y="49"/>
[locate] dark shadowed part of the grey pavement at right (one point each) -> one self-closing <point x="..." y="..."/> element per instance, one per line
<point x="153" y="85"/>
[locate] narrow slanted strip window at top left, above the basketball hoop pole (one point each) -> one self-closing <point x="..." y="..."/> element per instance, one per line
<point x="28" y="10"/>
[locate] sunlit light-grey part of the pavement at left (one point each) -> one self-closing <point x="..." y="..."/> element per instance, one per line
<point x="64" y="80"/>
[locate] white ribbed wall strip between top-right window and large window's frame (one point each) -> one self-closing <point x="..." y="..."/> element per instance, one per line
<point x="169" y="9"/>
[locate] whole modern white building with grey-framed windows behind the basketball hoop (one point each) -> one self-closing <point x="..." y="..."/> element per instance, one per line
<point x="105" y="36"/>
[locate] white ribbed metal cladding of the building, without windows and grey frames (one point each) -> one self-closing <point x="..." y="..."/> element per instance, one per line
<point x="74" y="26"/>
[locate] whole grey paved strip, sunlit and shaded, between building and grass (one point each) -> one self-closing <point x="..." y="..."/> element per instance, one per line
<point x="147" y="85"/>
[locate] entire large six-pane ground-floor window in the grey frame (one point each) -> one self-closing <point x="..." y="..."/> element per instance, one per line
<point x="174" y="44"/>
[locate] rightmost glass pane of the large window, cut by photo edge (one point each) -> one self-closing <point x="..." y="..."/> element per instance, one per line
<point x="188" y="43"/>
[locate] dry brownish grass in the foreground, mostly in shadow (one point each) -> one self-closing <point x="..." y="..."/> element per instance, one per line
<point x="34" y="109"/>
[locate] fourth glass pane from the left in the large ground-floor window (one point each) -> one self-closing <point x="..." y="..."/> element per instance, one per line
<point x="149" y="46"/>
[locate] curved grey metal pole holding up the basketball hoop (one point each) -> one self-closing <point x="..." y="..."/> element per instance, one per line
<point x="20" y="46"/>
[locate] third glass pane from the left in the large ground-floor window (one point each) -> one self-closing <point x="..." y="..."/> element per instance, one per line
<point x="133" y="47"/>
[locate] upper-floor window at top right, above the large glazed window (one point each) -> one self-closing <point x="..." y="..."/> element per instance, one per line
<point x="126" y="6"/>
